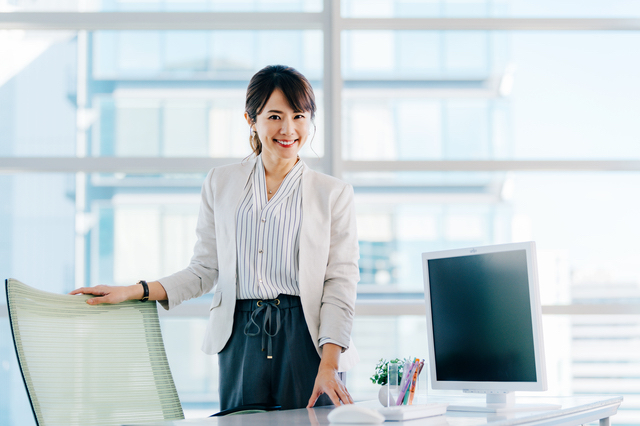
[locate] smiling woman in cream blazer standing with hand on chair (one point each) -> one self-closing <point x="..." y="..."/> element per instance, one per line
<point x="277" y="243"/>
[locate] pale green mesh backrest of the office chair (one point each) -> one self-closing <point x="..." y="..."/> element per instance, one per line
<point x="90" y="365"/>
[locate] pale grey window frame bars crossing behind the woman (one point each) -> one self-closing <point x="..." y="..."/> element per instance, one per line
<point x="332" y="25"/>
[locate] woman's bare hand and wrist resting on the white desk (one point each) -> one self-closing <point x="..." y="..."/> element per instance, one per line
<point x="327" y="380"/>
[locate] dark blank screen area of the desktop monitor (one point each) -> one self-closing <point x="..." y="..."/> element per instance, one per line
<point x="482" y="318"/>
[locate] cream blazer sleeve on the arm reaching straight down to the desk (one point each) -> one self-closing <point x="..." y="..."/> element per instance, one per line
<point x="342" y="273"/>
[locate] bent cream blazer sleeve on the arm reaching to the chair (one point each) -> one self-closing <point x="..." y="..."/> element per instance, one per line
<point x="202" y="273"/>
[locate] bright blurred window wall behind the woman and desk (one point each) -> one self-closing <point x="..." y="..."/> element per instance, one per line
<point x="459" y="123"/>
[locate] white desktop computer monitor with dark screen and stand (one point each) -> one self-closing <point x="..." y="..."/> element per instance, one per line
<point x="484" y="326"/>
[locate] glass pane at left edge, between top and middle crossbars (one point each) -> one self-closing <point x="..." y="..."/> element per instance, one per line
<point x="38" y="88"/>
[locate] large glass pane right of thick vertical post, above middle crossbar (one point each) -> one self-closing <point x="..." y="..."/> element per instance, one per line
<point x="471" y="95"/>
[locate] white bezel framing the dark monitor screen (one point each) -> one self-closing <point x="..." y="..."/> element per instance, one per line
<point x="536" y="320"/>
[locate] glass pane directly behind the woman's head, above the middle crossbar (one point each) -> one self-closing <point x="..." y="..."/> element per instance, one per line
<point x="181" y="93"/>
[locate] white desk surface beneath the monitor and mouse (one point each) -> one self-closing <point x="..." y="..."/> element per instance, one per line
<point x="574" y="410"/>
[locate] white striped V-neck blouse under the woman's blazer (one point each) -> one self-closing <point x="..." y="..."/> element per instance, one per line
<point x="268" y="236"/>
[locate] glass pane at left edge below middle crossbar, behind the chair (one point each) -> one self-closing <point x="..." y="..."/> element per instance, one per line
<point x="37" y="240"/>
